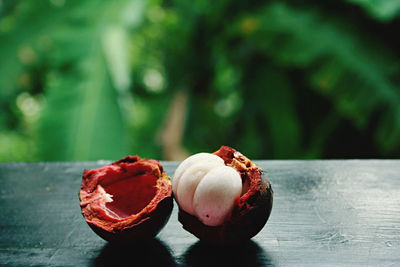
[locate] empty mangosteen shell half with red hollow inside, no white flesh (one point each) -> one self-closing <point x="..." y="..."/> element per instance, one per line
<point x="128" y="200"/>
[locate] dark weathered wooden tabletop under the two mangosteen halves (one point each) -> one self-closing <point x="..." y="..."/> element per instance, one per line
<point x="326" y="213"/>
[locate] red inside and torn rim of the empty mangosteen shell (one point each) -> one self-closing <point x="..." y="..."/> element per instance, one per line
<point x="136" y="187"/>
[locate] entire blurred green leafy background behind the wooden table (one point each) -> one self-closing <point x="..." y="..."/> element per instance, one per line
<point x="90" y="79"/>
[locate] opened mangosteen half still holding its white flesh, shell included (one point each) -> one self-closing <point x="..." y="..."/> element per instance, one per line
<point x="223" y="197"/>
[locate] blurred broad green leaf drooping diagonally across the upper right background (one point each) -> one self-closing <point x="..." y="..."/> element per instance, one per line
<point x="339" y="63"/>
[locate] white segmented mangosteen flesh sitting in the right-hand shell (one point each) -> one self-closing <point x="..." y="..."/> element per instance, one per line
<point x="204" y="187"/>
